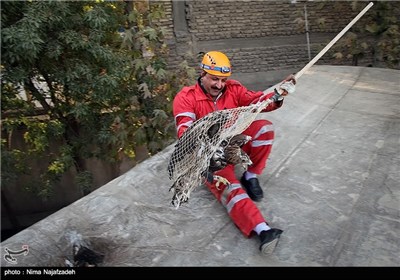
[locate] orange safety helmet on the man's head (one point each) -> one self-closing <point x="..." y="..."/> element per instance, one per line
<point x="216" y="63"/>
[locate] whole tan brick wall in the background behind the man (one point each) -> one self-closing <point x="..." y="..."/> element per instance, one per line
<point x="258" y="36"/>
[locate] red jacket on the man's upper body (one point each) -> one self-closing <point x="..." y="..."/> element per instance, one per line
<point x="192" y="103"/>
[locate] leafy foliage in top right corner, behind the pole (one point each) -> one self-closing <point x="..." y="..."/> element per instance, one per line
<point x="379" y="37"/>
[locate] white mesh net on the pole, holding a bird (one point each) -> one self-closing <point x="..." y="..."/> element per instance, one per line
<point x="193" y="151"/>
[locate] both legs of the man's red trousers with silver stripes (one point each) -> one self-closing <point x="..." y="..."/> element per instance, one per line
<point x="242" y="210"/>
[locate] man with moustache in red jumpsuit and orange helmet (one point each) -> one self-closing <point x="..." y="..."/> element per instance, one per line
<point x="213" y="91"/>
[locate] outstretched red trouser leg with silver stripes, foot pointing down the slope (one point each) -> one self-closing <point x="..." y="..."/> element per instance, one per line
<point x="242" y="210"/>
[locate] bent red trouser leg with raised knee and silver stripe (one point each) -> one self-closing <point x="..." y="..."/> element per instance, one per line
<point x="259" y="148"/>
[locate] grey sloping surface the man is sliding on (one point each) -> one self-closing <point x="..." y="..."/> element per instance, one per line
<point x="332" y="184"/>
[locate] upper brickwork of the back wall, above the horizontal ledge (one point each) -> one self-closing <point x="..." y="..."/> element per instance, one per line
<point x="212" y="20"/>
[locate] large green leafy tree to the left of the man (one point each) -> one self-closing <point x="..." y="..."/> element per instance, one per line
<point x="81" y="80"/>
